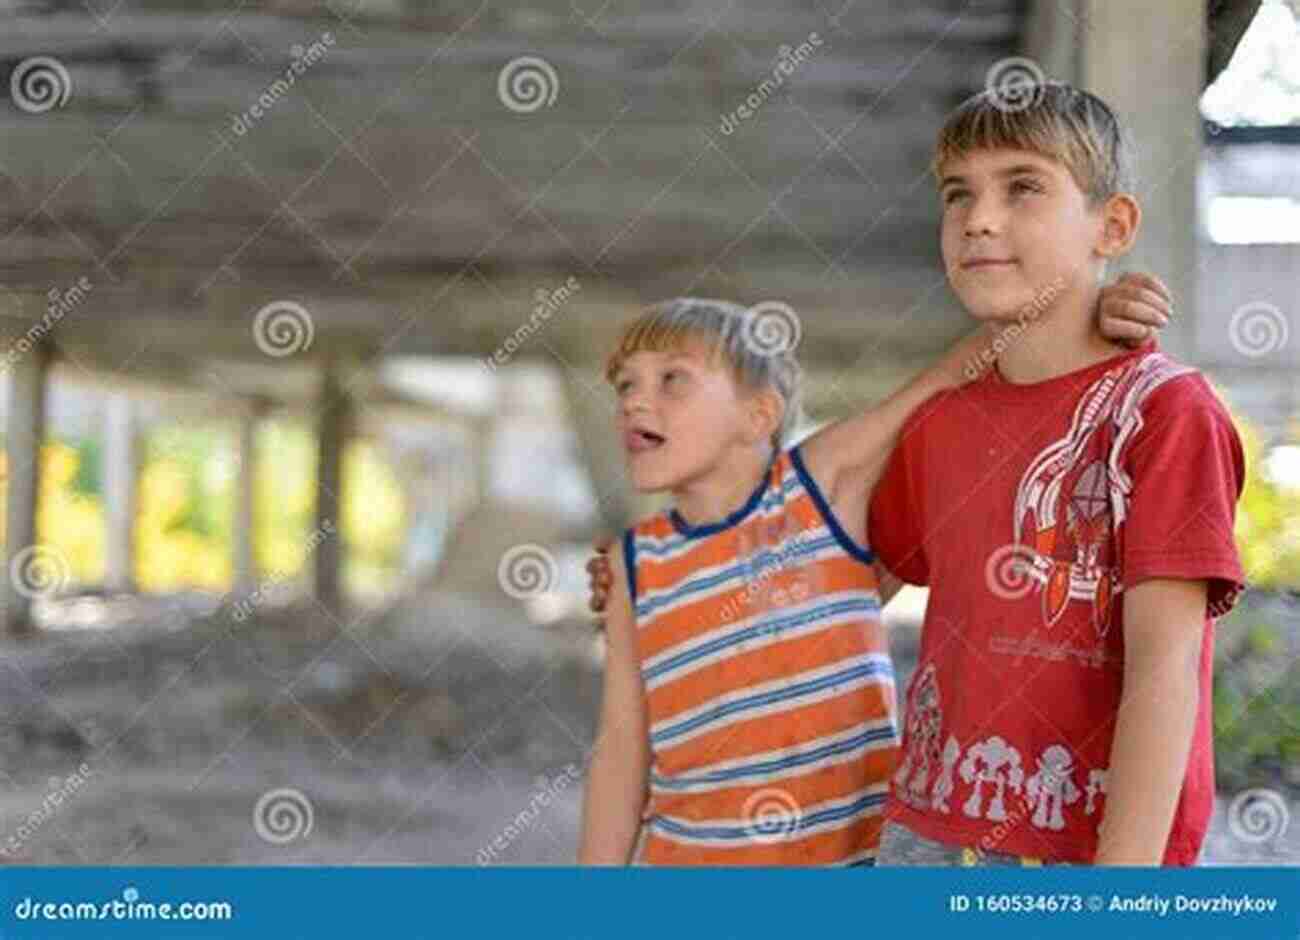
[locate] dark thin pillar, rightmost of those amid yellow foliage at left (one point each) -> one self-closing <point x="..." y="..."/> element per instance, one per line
<point x="333" y="424"/>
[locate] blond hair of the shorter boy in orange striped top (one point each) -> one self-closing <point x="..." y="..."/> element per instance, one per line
<point x="731" y="337"/>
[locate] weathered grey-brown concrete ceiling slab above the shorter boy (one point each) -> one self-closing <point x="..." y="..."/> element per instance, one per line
<point x="395" y="196"/>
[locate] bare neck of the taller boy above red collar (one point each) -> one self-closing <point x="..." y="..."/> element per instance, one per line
<point x="1060" y="341"/>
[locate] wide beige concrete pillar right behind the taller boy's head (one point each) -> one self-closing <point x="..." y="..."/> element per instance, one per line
<point x="1149" y="62"/>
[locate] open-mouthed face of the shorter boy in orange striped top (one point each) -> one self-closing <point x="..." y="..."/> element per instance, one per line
<point x="678" y="413"/>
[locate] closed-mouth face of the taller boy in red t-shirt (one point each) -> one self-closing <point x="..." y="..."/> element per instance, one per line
<point x="1017" y="231"/>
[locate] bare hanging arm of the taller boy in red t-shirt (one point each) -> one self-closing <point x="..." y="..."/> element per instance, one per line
<point x="1164" y="631"/>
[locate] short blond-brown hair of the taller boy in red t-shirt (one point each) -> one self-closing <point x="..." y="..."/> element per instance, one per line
<point x="1059" y="122"/>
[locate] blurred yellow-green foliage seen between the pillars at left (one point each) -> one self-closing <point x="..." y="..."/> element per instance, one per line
<point x="187" y="503"/>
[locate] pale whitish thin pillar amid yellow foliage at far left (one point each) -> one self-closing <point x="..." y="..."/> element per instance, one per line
<point x="120" y="467"/>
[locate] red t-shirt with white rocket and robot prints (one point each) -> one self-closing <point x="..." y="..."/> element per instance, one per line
<point x="1029" y="510"/>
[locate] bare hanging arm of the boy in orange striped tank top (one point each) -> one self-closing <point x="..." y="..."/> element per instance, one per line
<point x="621" y="760"/>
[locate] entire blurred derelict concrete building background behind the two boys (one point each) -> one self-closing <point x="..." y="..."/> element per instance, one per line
<point x="304" y="309"/>
